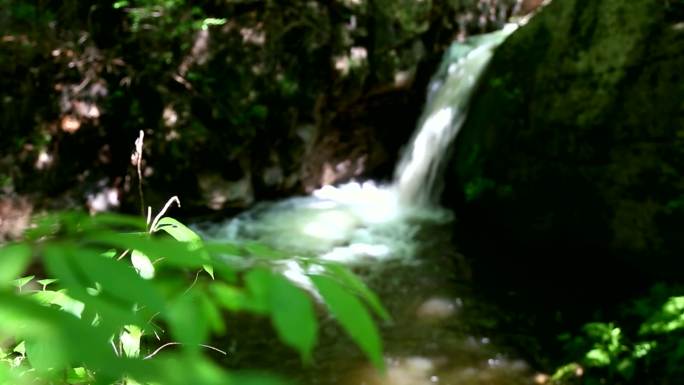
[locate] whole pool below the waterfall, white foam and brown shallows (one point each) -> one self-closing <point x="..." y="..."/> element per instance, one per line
<point x="441" y="331"/>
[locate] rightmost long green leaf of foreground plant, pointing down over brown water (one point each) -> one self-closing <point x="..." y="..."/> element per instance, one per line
<point x="352" y="315"/>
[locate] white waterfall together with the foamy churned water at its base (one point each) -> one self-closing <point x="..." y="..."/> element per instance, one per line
<point x="356" y="221"/>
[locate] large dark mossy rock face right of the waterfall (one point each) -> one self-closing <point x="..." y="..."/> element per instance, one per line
<point x="574" y="145"/>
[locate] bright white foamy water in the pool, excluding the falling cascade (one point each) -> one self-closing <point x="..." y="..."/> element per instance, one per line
<point x="350" y="223"/>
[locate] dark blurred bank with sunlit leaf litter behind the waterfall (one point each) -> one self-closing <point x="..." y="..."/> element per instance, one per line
<point x="210" y="82"/>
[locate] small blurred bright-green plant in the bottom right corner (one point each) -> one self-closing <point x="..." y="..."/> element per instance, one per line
<point x="645" y="346"/>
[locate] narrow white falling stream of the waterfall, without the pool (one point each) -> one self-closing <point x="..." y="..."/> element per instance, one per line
<point x="417" y="178"/>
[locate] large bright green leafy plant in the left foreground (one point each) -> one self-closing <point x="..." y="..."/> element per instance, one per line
<point x="112" y="283"/>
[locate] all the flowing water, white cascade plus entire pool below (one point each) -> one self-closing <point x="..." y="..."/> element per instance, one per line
<point x="400" y="243"/>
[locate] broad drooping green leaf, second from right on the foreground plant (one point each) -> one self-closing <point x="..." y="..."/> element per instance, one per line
<point x="291" y="310"/>
